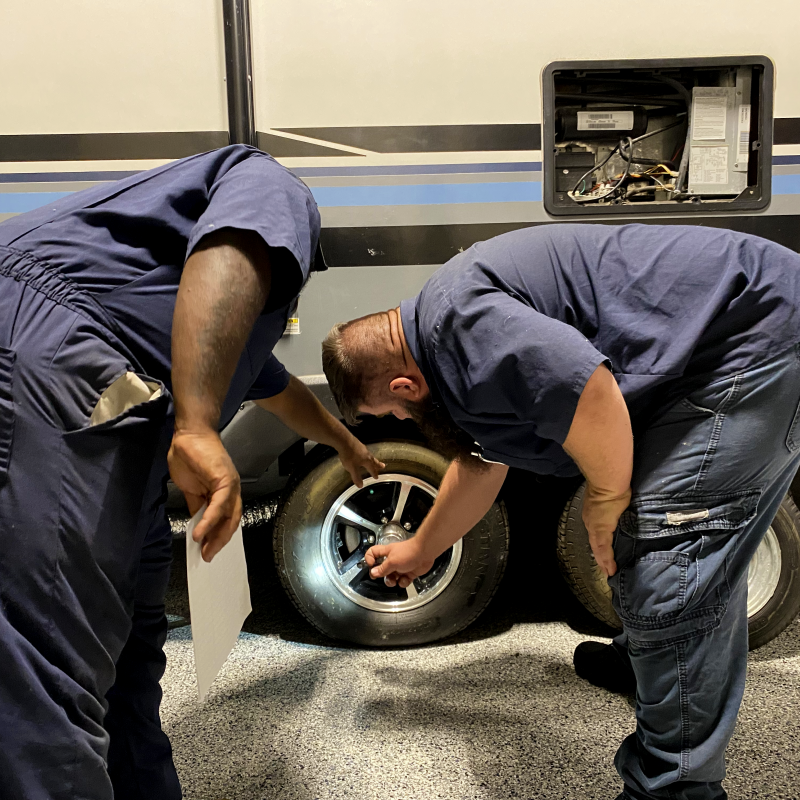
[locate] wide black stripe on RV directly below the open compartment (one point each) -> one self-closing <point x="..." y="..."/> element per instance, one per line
<point x="435" y="244"/>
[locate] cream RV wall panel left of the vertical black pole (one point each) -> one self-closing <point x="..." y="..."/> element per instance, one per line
<point x="88" y="66"/>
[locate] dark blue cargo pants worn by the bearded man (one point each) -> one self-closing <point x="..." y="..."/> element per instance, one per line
<point x="709" y="476"/>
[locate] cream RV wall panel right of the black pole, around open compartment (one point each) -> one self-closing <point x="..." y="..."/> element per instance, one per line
<point x="440" y="62"/>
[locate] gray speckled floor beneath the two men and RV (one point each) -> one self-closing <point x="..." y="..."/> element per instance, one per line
<point x="495" y="713"/>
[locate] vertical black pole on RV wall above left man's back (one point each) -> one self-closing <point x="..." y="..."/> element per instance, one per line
<point x="239" y="71"/>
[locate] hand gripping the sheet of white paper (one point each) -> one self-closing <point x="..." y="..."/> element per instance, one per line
<point x="202" y="469"/>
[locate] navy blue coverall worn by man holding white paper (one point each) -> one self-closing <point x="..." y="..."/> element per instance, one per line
<point x="87" y="292"/>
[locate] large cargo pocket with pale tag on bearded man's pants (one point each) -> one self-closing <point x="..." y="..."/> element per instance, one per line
<point x="674" y="586"/>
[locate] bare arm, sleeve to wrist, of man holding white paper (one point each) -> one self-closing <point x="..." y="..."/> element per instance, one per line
<point x="224" y="287"/>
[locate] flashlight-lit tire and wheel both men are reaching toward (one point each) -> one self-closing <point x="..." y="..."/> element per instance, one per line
<point x="321" y="533"/>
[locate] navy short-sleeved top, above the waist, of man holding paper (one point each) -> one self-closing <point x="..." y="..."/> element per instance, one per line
<point x="125" y="244"/>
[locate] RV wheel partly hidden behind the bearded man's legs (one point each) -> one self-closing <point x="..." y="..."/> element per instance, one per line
<point x="773" y="579"/>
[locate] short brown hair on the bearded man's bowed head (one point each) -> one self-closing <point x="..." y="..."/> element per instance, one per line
<point x="354" y="358"/>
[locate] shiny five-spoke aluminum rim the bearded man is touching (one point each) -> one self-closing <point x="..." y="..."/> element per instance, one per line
<point x="345" y="574"/>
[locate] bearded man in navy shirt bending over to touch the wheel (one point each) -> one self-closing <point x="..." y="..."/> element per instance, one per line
<point x="547" y="349"/>
